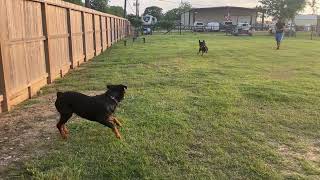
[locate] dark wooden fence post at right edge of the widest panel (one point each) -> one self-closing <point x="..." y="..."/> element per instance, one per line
<point x="44" y="10"/>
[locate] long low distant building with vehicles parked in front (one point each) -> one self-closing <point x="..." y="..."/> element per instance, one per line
<point x="220" y="14"/>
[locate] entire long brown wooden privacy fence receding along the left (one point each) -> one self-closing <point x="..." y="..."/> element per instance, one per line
<point x="40" y="40"/>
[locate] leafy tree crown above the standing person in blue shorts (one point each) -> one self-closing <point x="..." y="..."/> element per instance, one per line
<point x="285" y="9"/>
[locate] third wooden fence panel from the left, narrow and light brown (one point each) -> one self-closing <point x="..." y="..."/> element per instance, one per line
<point x="77" y="37"/>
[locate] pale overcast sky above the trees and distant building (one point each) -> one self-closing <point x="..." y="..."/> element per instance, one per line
<point x="170" y="4"/>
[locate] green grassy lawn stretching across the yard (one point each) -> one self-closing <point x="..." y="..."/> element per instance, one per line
<point x="243" y="111"/>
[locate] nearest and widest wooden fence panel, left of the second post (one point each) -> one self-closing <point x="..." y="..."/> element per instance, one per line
<point x="25" y="47"/>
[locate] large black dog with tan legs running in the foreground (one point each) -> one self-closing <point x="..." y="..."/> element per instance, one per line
<point x="98" y="108"/>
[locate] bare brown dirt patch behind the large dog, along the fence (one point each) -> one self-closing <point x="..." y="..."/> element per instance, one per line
<point x="25" y="129"/>
